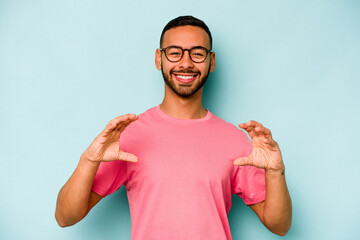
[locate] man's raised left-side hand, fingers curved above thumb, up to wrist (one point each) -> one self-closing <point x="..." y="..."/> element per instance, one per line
<point x="105" y="147"/>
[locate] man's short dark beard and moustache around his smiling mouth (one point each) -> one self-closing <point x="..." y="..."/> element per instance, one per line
<point x="185" y="90"/>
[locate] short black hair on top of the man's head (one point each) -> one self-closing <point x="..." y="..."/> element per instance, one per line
<point x="185" y="21"/>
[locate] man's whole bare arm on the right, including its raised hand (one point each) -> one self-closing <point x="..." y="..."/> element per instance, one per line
<point x="276" y="211"/>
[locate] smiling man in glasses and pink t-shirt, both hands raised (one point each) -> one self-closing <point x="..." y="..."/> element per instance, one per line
<point x="179" y="162"/>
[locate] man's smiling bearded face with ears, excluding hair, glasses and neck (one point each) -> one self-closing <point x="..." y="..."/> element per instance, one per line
<point x="185" y="78"/>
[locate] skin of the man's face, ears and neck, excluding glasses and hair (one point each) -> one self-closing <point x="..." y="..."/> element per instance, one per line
<point x="174" y="105"/>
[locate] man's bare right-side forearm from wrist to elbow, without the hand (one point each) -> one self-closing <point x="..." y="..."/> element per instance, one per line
<point x="277" y="211"/>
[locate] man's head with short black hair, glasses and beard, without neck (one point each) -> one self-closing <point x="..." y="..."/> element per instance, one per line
<point x="185" y="77"/>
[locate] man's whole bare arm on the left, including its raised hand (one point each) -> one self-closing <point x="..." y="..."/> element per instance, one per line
<point x="76" y="199"/>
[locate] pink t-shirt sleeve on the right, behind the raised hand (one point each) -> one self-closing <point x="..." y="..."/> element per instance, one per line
<point x="248" y="181"/>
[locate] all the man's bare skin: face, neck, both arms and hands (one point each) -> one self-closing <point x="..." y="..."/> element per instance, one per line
<point x="183" y="101"/>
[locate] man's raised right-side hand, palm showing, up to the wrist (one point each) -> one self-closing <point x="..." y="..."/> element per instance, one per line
<point x="266" y="153"/>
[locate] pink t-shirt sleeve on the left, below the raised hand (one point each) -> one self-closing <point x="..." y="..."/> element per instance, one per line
<point x="109" y="177"/>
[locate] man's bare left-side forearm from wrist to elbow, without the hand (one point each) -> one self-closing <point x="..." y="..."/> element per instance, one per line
<point x="73" y="199"/>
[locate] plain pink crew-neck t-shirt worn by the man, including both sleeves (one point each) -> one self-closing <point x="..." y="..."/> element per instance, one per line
<point x="181" y="186"/>
